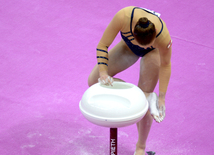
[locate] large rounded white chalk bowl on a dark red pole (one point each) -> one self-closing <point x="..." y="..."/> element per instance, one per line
<point x="114" y="106"/>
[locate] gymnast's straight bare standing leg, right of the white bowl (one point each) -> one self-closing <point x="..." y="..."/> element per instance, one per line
<point x="149" y="74"/>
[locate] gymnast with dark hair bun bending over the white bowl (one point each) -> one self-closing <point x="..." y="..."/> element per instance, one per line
<point x="144" y="34"/>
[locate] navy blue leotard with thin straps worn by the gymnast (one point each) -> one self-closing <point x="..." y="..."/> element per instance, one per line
<point x="139" y="51"/>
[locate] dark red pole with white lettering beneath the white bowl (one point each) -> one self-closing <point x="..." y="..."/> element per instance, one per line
<point x="113" y="141"/>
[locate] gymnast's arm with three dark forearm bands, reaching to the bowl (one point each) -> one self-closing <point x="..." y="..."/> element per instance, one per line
<point x="108" y="37"/>
